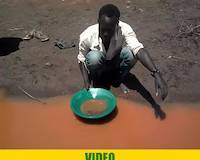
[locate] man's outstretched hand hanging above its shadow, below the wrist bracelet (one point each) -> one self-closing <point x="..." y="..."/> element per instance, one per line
<point x="160" y="86"/>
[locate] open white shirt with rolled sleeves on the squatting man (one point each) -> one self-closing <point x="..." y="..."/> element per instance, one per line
<point x="90" y="40"/>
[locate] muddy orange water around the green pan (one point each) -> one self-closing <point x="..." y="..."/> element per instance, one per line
<point x="28" y="124"/>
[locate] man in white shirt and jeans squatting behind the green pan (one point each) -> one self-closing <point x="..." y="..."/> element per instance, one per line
<point x="110" y="49"/>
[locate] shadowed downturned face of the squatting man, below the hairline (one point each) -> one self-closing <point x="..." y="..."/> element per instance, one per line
<point x="107" y="27"/>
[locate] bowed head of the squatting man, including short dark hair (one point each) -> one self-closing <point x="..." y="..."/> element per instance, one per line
<point x="108" y="20"/>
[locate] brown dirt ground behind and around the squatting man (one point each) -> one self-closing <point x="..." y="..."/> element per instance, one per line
<point x="44" y="70"/>
